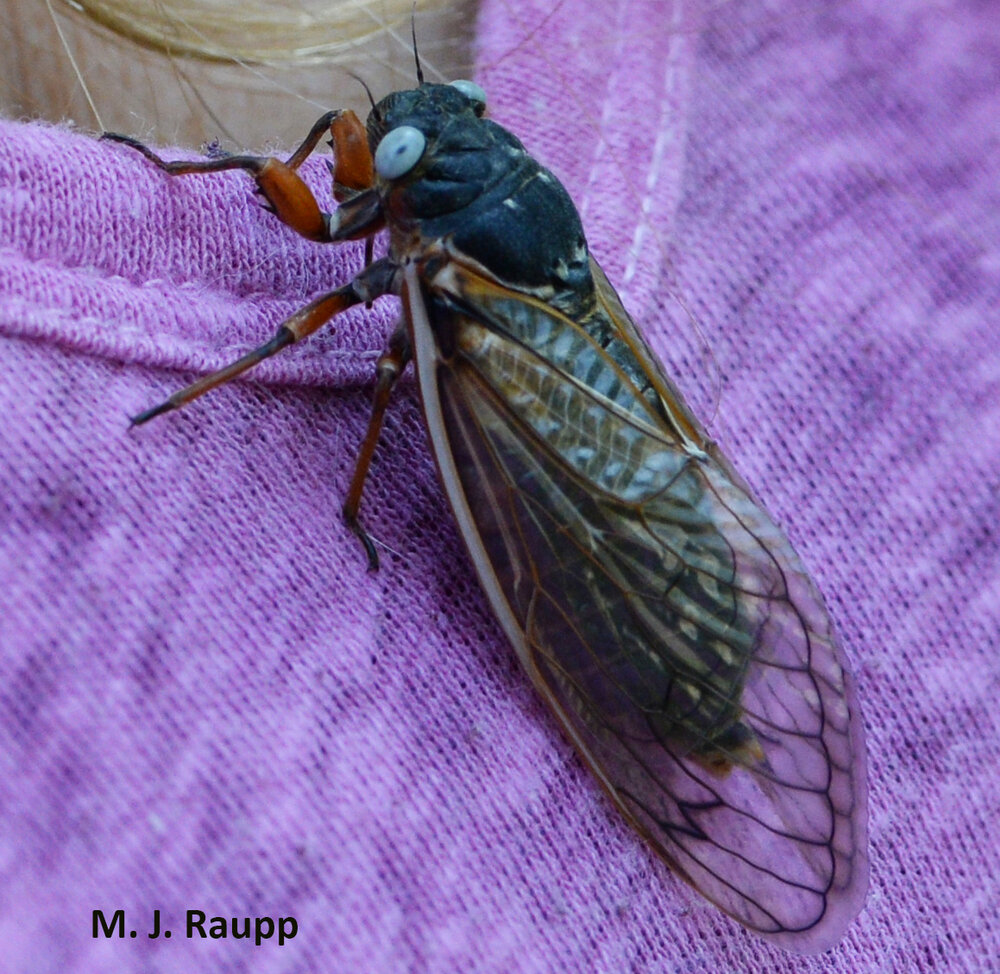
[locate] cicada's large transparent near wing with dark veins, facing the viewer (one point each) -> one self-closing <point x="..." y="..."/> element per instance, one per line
<point x="656" y="606"/>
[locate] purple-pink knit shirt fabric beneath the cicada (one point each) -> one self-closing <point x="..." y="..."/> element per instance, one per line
<point x="206" y="702"/>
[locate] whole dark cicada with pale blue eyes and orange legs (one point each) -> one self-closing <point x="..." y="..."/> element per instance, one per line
<point x="655" y="605"/>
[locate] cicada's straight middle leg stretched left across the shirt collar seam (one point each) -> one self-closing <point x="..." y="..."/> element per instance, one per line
<point x="374" y="281"/>
